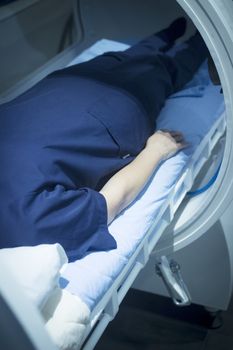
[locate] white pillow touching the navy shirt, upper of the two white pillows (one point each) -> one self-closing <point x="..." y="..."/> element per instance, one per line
<point x="37" y="269"/>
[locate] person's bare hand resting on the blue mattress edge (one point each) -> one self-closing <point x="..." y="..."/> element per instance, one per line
<point x="165" y="143"/>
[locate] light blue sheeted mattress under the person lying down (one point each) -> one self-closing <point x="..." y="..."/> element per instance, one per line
<point x="193" y="111"/>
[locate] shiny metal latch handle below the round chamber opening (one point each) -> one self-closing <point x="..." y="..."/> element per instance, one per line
<point x="170" y="273"/>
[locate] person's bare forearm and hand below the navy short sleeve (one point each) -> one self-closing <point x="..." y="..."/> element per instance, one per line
<point x="125" y="185"/>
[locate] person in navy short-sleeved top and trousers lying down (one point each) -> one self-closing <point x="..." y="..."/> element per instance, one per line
<point x="78" y="147"/>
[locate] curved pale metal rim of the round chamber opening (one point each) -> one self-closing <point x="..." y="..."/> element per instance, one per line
<point x="218" y="39"/>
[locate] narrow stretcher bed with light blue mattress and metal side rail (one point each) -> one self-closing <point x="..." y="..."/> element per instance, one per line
<point x="102" y="279"/>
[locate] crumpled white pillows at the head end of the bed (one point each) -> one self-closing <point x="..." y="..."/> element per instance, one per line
<point x="37" y="270"/>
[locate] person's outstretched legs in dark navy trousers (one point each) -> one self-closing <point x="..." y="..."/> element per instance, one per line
<point x="145" y="73"/>
